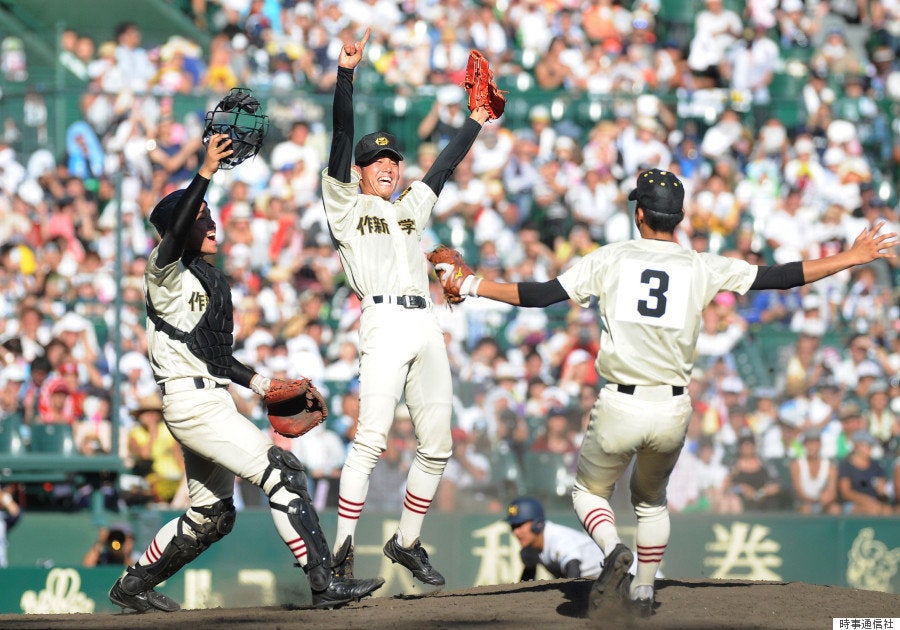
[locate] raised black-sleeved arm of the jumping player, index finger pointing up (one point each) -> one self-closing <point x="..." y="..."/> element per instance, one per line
<point x="340" y="158"/>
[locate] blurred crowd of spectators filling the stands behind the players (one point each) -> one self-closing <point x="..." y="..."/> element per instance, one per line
<point x="779" y="116"/>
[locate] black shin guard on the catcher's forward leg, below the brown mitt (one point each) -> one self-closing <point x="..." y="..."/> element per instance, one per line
<point x="301" y="514"/>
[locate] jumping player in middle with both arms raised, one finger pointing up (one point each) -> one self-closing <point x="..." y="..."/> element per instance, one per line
<point x="402" y="346"/>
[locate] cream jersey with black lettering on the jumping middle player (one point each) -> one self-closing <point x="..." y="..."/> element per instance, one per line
<point x="378" y="241"/>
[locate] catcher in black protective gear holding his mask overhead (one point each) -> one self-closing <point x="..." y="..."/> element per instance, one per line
<point x="189" y="332"/>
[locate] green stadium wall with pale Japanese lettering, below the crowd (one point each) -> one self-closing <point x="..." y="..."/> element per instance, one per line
<point x="251" y="567"/>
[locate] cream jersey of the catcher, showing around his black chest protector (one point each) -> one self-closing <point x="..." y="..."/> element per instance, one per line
<point x="180" y="300"/>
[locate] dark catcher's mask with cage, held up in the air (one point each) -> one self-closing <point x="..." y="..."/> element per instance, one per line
<point x="237" y="115"/>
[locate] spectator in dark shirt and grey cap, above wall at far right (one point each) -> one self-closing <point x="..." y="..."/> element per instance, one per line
<point x="861" y="479"/>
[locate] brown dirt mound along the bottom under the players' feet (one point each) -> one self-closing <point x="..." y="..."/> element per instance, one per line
<point x="694" y="604"/>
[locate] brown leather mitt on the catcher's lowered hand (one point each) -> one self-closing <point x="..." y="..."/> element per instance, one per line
<point x="294" y="406"/>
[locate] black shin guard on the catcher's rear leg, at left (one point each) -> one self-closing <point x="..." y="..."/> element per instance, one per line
<point x="185" y="546"/>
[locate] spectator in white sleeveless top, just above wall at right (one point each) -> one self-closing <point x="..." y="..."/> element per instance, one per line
<point x="814" y="478"/>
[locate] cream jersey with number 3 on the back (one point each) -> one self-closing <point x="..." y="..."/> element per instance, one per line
<point x="651" y="295"/>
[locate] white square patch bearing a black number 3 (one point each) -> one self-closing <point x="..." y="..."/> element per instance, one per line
<point x="652" y="296"/>
